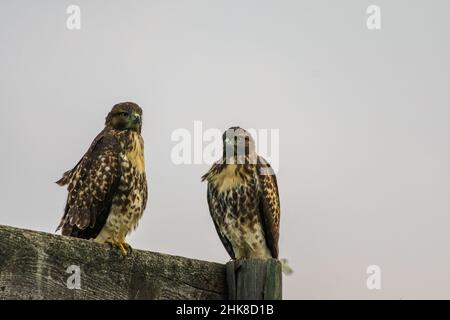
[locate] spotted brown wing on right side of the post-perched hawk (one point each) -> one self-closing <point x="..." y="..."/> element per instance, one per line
<point x="269" y="205"/>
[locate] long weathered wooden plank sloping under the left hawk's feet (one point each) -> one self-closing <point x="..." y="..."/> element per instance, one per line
<point x="33" y="266"/>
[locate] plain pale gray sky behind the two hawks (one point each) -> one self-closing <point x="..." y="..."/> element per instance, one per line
<point x="363" y="116"/>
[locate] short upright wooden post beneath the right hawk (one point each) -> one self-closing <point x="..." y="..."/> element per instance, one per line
<point x="254" y="279"/>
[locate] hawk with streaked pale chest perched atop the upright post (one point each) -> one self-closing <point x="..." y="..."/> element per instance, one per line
<point x="243" y="199"/>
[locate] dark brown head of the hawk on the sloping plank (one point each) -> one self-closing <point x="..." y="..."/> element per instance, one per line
<point x="125" y="116"/>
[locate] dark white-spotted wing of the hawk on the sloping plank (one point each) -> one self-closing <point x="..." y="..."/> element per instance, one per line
<point x="91" y="185"/>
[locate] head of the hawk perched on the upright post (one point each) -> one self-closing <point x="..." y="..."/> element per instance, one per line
<point x="238" y="146"/>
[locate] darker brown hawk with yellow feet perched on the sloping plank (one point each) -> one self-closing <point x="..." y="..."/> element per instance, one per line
<point x="108" y="187"/>
